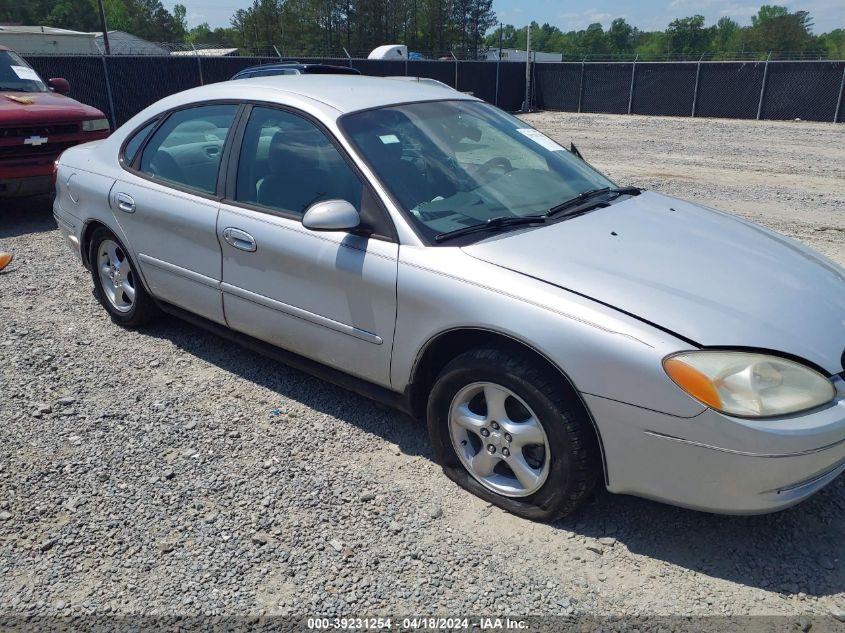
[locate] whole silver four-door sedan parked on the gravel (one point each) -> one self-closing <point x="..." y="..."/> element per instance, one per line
<point x="557" y="332"/>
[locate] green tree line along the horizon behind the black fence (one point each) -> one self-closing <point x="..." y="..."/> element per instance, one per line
<point x="435" y="28"/>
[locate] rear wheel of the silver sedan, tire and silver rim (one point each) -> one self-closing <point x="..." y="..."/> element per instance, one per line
<point x="117" y="285"/>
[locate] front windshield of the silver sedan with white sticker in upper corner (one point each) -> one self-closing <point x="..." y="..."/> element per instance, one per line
<point x="456" y="164"/>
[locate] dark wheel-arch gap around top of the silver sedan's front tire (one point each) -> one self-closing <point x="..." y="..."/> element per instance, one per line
<point x="443" y="347"/>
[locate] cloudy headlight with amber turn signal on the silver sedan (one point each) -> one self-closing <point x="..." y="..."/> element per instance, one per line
<point x="747" y="384"/>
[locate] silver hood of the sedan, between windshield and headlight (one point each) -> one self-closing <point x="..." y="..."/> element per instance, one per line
<point x="701" y="274"/>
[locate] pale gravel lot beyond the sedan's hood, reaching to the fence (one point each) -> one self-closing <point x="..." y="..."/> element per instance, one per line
<point x="786" y="175"/>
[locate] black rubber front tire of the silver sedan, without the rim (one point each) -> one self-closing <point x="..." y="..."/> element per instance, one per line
<point x="575" y="460"/>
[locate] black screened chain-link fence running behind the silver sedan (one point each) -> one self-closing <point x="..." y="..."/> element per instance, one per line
<point x="122" y="85"/>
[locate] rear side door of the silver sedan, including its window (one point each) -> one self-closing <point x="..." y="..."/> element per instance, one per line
<point x="166" y="203"/>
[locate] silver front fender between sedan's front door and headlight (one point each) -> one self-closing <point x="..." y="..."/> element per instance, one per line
<point x="604" y="352"/>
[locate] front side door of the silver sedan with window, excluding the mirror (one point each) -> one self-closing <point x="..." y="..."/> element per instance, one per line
<point x="329" y="296"/>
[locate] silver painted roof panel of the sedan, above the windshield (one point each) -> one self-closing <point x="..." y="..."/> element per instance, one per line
<point x="344" y="93"/>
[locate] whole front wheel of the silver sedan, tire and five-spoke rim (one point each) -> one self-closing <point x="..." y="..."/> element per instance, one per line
<point x="509" y="430"/>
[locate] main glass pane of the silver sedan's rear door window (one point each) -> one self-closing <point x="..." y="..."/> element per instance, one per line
<point x="186" y="149"/>
